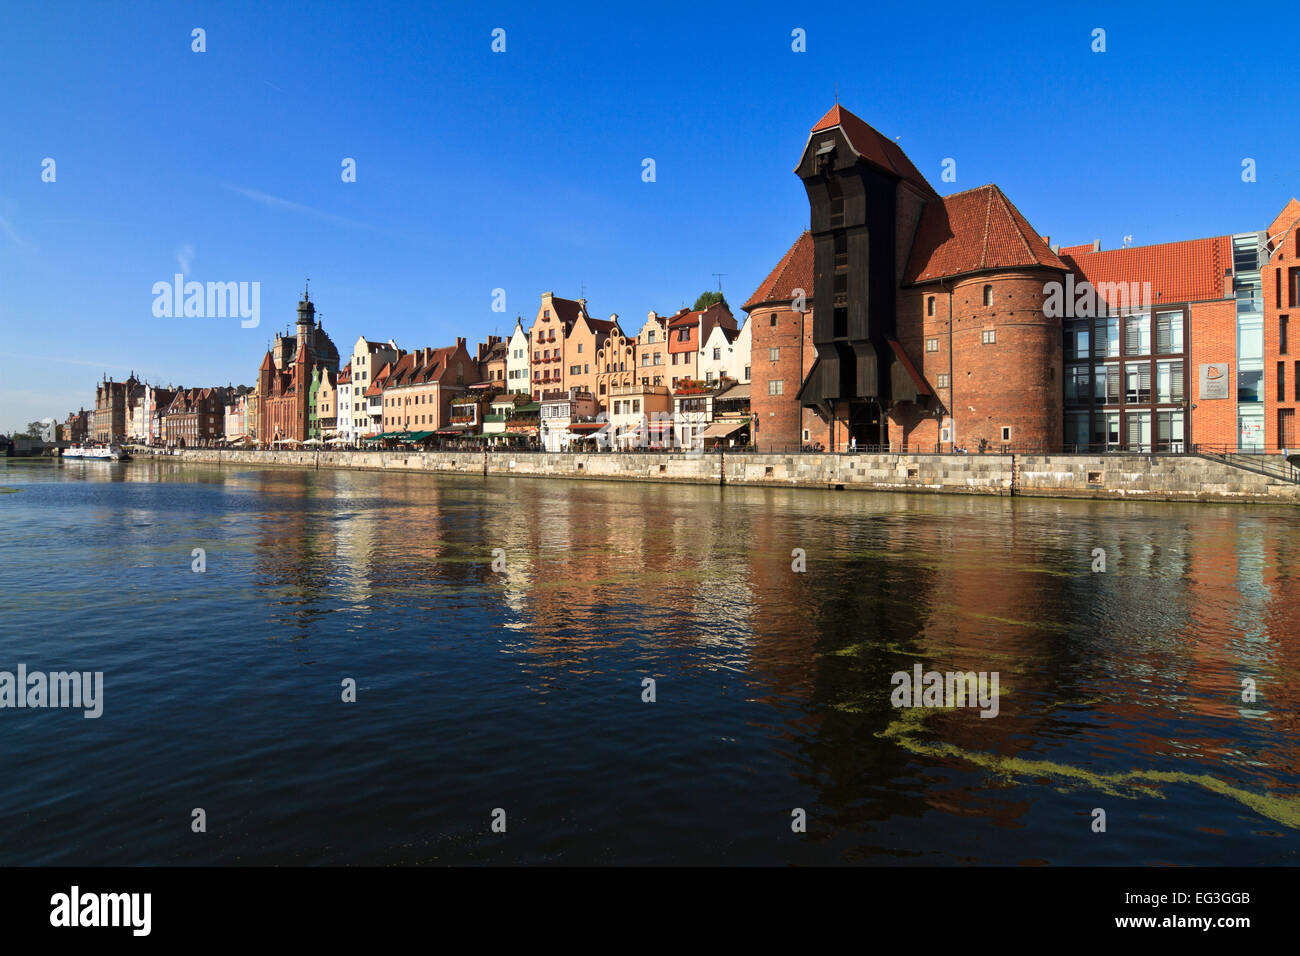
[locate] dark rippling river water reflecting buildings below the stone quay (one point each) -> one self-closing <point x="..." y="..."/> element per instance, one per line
<point x="518" y="694"/>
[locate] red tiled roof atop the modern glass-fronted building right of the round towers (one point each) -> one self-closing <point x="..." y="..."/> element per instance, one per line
<point x="1188" y="271"/>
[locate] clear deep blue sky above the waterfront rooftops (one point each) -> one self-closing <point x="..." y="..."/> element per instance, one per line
<point x="523" y="170"/>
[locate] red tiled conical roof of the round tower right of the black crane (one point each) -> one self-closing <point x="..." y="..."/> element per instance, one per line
<point x="973" y="232"/>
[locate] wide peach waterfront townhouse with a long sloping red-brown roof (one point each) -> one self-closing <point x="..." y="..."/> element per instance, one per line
<point x="418" y="392"/>
